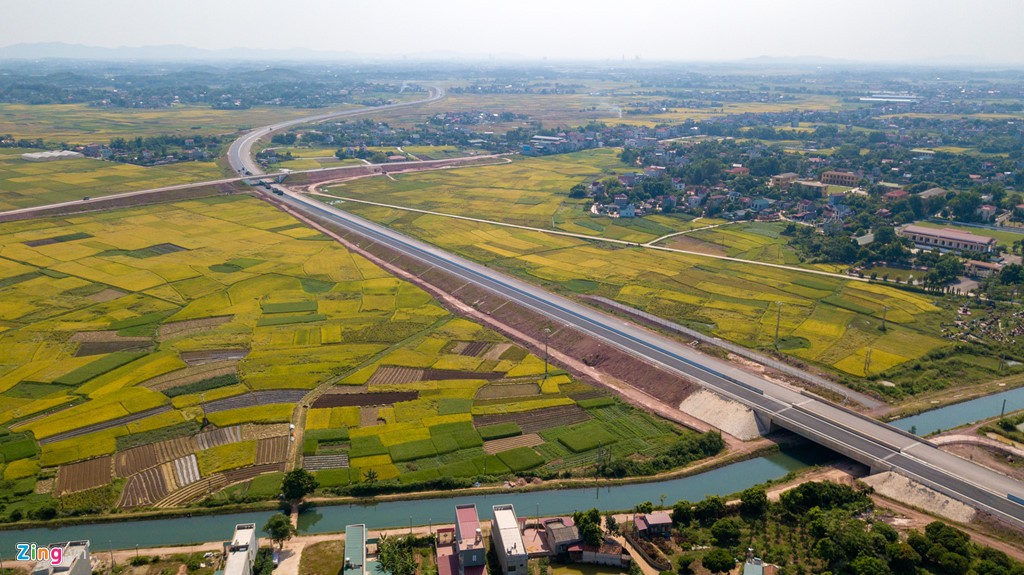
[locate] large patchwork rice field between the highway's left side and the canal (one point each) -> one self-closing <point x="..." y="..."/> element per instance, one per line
<point x="235" y="327"/>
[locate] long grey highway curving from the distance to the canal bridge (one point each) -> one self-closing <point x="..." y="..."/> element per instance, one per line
<point x="864" y="439"/>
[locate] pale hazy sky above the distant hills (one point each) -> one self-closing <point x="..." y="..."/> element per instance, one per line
<point x="992" y="31"/>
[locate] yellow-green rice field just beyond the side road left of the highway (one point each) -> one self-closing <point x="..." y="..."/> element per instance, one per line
<point x="24" y="184"/>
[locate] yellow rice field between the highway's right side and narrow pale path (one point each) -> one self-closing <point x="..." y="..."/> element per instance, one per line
<point x="829" y="322"/>
